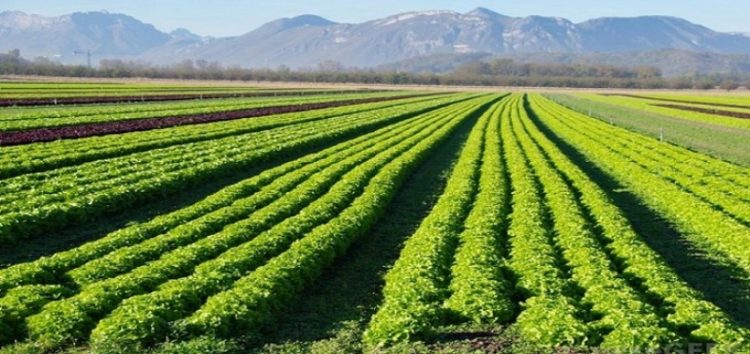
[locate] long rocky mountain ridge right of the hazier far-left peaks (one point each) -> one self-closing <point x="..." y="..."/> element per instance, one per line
<point x="416" y="34"/>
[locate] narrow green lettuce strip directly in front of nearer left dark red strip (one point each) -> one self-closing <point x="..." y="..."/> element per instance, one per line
<point x="18" y="160"/>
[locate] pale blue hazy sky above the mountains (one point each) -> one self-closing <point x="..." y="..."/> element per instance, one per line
<point x="234" y="17"/>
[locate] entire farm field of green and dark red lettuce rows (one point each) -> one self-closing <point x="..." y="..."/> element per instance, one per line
<point x="371" y="221"/>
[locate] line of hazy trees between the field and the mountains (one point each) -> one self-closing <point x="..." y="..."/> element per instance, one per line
<point x="498" y="72"/>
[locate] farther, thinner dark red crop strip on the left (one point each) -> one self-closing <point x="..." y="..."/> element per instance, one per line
<point x="143" y="98"/>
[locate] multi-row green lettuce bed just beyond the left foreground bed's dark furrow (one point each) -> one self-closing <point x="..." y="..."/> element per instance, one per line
<point x="33" y="203"/>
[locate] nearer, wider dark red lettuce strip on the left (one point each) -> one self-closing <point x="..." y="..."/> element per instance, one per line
<point x="104" y="128"/>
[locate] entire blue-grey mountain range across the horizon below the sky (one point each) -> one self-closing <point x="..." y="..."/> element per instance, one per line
<point x="307" y="40"/>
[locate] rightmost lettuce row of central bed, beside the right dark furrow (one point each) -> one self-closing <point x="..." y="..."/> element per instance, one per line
<point x="689" y="310"/>
